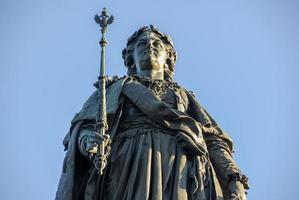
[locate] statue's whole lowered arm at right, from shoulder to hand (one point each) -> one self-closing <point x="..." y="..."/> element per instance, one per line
<point x="220" y="148"/>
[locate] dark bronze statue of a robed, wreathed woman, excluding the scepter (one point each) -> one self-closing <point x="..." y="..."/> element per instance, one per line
<point x="164" y="143"/>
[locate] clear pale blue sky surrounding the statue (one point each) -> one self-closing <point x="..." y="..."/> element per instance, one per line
<point x="240" y="58"/>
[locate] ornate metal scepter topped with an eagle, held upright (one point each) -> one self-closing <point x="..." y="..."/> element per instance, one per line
<point x="101" y="125"/>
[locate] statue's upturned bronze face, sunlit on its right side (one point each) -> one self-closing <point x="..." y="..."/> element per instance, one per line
<point x="149" y="53"/>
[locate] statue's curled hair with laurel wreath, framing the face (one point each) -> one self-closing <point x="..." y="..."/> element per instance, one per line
<point x="127" y="53"/>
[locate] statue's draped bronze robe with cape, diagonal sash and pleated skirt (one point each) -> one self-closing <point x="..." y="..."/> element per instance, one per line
<point x="167" y="158"/>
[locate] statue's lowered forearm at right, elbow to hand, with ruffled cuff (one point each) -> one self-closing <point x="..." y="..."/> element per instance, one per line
<point x="219" y="145"/>
